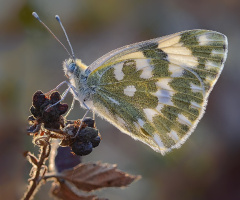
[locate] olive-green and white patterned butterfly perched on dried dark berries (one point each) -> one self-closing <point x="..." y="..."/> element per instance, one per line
<point x="155" y="91"/>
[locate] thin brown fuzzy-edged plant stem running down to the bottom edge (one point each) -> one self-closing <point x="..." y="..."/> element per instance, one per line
<point x="38" y="176"/>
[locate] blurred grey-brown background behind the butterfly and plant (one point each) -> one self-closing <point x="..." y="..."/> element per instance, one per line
<point x="205" y="167"/>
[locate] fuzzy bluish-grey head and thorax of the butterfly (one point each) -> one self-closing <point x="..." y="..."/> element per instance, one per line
<point x="75" y="71"/>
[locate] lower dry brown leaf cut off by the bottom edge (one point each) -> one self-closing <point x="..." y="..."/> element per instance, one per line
<point x="62" y="190"/>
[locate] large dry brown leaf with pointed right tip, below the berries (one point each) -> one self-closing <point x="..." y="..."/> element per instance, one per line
<point x="92" y="176"/>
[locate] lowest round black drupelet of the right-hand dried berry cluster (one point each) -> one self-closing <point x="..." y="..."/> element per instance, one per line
<point x="82" y="148"/>
